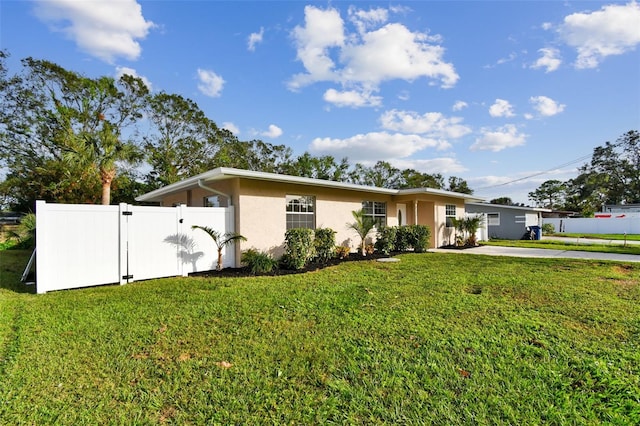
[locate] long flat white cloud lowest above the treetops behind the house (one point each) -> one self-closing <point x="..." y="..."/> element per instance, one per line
<point x="375" y="145"/>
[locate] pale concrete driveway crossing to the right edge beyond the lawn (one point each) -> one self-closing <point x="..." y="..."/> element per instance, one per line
<point x="527" y="252"/>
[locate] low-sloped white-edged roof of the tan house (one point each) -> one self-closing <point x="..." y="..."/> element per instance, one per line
<point x="223" y="173"/>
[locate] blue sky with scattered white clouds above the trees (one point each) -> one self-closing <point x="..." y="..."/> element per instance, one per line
<point x="504" y="94"/>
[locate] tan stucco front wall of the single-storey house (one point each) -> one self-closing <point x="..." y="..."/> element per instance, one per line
<point x="260" y="210"/>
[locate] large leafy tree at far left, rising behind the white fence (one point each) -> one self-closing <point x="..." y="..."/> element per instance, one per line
<point x="64" y="131"/>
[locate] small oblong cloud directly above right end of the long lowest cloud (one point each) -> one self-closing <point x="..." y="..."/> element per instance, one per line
<point x="432" y="124"/>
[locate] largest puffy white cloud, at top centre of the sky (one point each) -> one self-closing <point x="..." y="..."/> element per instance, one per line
<point x="360" y="60"/>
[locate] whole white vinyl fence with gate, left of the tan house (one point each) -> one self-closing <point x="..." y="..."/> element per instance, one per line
<point x="86" y="245"/>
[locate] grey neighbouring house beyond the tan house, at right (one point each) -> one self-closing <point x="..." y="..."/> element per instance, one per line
<point x="507" y="222"/>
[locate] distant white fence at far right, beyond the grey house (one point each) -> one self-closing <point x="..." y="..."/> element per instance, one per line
<point x="613" y="225"/>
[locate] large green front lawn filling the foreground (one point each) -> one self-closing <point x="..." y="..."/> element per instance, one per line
<point x="435" y="338"/>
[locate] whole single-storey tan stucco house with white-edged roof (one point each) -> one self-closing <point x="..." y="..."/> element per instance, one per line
<point x="267" y="204"/>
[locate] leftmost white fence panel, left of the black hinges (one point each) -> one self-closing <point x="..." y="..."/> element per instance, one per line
<point x="77" y="246"/>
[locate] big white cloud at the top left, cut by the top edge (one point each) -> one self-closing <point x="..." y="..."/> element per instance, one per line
<point x="104" y="29"/>
